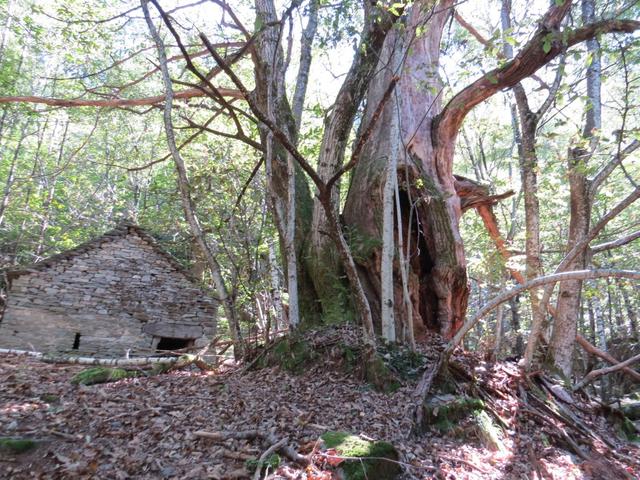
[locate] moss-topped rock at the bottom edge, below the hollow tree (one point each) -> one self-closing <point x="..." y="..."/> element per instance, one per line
<point x="367" y="459"/>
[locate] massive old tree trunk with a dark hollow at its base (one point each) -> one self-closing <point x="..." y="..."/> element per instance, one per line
<point x="430" y="207"/>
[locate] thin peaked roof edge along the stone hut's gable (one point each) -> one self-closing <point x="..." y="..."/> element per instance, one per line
<point x="123" y="229"/>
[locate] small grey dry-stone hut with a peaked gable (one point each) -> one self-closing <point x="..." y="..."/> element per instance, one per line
<point x="115" y="293"/>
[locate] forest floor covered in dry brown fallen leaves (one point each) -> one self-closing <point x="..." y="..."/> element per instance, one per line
<point x="144" y="427"/>
